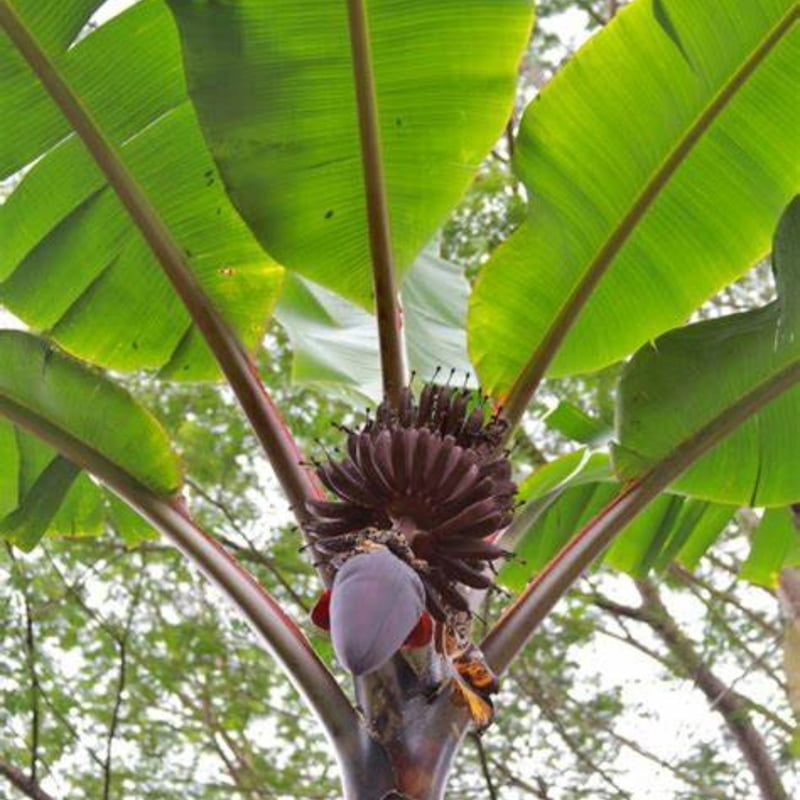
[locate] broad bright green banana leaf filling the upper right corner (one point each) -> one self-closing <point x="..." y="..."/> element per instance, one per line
<point x="664" y="151"/>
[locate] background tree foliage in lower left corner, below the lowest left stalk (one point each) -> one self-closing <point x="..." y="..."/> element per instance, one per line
<point x="195" y="684"/>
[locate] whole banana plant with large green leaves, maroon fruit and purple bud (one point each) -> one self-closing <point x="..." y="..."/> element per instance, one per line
<point x="188" y="166"/>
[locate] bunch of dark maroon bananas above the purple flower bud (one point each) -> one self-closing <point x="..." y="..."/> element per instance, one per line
<point x="430" y="483"/>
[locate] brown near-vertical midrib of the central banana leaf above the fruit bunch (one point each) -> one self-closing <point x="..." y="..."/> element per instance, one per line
<point x="387" y="308"/>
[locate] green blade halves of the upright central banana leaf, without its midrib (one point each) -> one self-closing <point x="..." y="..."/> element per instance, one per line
<point x="273" y="85"/>
